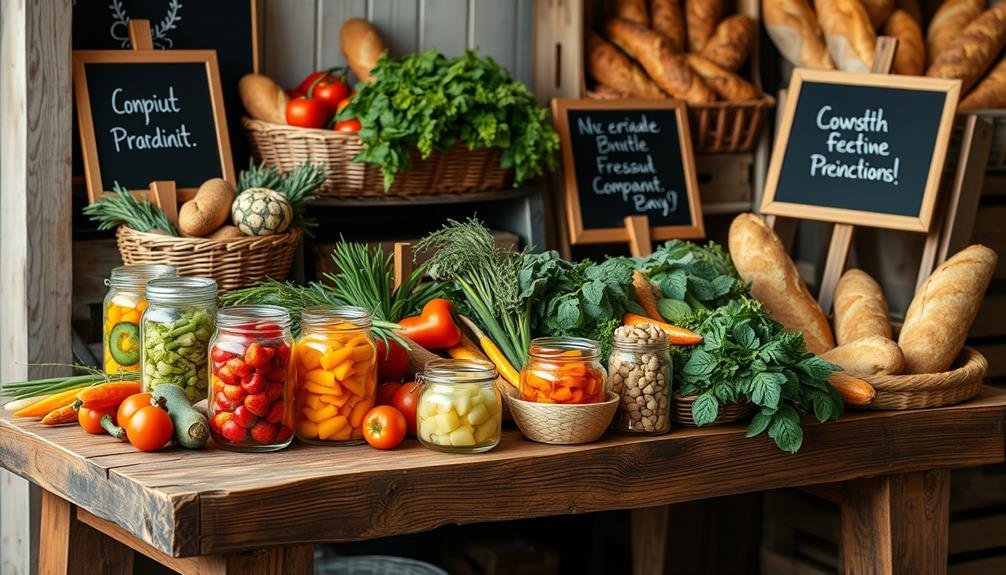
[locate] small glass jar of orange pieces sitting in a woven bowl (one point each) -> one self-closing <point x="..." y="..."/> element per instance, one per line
<point x="564" y="370"/>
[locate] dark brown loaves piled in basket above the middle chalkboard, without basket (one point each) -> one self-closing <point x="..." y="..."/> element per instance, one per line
<point x="687" y="50"/>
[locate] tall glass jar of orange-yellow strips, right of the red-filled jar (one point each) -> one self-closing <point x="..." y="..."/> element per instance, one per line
<point x="337" y="381"/>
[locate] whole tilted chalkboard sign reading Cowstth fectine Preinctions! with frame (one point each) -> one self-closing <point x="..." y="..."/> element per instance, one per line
<point x="862" y="149"/>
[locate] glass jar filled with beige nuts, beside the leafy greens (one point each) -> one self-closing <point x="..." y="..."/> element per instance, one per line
<point x="641" y="373"/>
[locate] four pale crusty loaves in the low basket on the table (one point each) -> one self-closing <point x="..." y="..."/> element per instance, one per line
<point x="863" y="342"/>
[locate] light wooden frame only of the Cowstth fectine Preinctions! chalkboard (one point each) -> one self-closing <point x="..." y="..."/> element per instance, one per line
<point x="922" y="224"/>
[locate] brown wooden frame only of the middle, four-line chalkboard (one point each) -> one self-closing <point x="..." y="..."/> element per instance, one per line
<point x="580" y="236"/>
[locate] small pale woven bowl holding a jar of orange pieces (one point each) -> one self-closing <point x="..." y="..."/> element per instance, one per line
<point x="562" y="425"/>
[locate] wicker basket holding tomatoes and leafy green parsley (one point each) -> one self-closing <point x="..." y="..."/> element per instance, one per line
<point x="458" y="170"/>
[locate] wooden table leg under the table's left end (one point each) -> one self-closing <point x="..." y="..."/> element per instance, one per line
<point x="69" y="547"/>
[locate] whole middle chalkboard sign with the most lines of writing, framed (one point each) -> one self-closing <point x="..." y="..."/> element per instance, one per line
<point x="625" y="158"/>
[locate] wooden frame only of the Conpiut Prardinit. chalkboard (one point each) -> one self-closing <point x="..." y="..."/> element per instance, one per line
<point x="89" y="146"/>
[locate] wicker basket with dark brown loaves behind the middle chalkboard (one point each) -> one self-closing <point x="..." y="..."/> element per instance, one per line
<point x="657" y="50"/>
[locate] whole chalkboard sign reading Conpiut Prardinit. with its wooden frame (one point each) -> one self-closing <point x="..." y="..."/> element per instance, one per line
<point x="151" y="115"/>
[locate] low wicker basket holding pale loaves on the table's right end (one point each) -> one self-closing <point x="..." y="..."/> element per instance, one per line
<point x="962" y="384"/>
